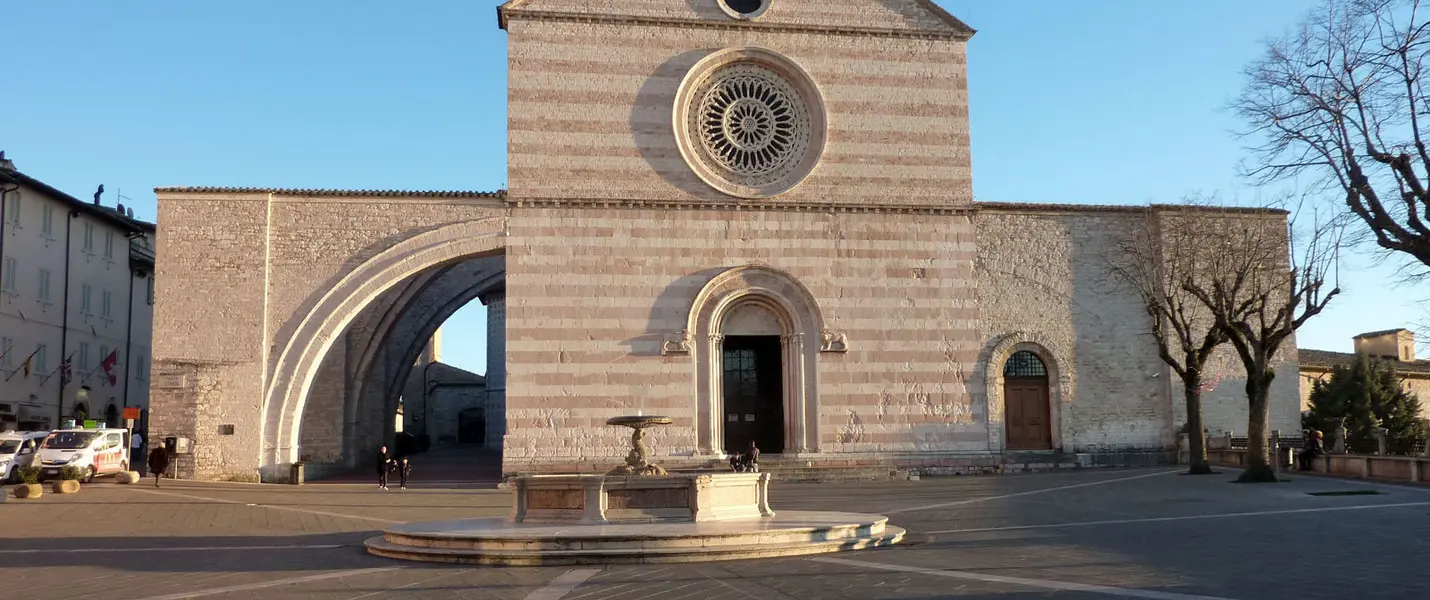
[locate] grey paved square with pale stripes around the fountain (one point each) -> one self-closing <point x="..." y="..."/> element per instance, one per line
<point x="1083" y="535"/>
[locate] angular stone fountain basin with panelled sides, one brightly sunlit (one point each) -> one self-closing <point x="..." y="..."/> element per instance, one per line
<point x="598" y="499"/>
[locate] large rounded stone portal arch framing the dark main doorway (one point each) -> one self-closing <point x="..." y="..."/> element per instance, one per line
<point x="802" y="332"/>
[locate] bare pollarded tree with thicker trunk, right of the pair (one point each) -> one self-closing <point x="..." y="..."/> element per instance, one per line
<point x="1268" y="278"/>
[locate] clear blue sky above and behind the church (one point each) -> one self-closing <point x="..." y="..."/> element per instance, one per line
<point x="1108" y="102"/>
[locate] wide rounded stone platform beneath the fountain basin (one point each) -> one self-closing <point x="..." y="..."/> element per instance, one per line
<point x="497" y="541"/>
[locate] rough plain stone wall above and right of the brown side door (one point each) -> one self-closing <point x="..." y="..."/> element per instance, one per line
<point x="1040" y="272"/>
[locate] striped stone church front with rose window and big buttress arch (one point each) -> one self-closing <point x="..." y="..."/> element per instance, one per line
<point x="751" y="216"/>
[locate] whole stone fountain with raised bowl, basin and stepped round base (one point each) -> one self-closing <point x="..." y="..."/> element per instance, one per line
<point x="636" y="514"/>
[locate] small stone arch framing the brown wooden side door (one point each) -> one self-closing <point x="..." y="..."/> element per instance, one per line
<point x="1060" y="384"/>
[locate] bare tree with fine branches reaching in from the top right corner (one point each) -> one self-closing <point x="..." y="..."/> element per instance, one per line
<point x="1341" y="101"/>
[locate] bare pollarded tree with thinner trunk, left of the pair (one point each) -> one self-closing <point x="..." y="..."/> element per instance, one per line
<point x="1160" y="262"/>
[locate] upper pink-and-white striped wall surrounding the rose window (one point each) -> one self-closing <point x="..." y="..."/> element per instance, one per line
<point x="590" y="111"/>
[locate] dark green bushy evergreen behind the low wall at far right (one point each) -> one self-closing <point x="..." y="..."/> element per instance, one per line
<point x="1368" y="395"/>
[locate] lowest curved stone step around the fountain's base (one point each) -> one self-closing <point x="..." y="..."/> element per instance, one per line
<point x="380" y="546"/>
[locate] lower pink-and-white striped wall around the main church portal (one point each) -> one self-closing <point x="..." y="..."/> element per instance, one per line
<point x="591" y="294"/>
